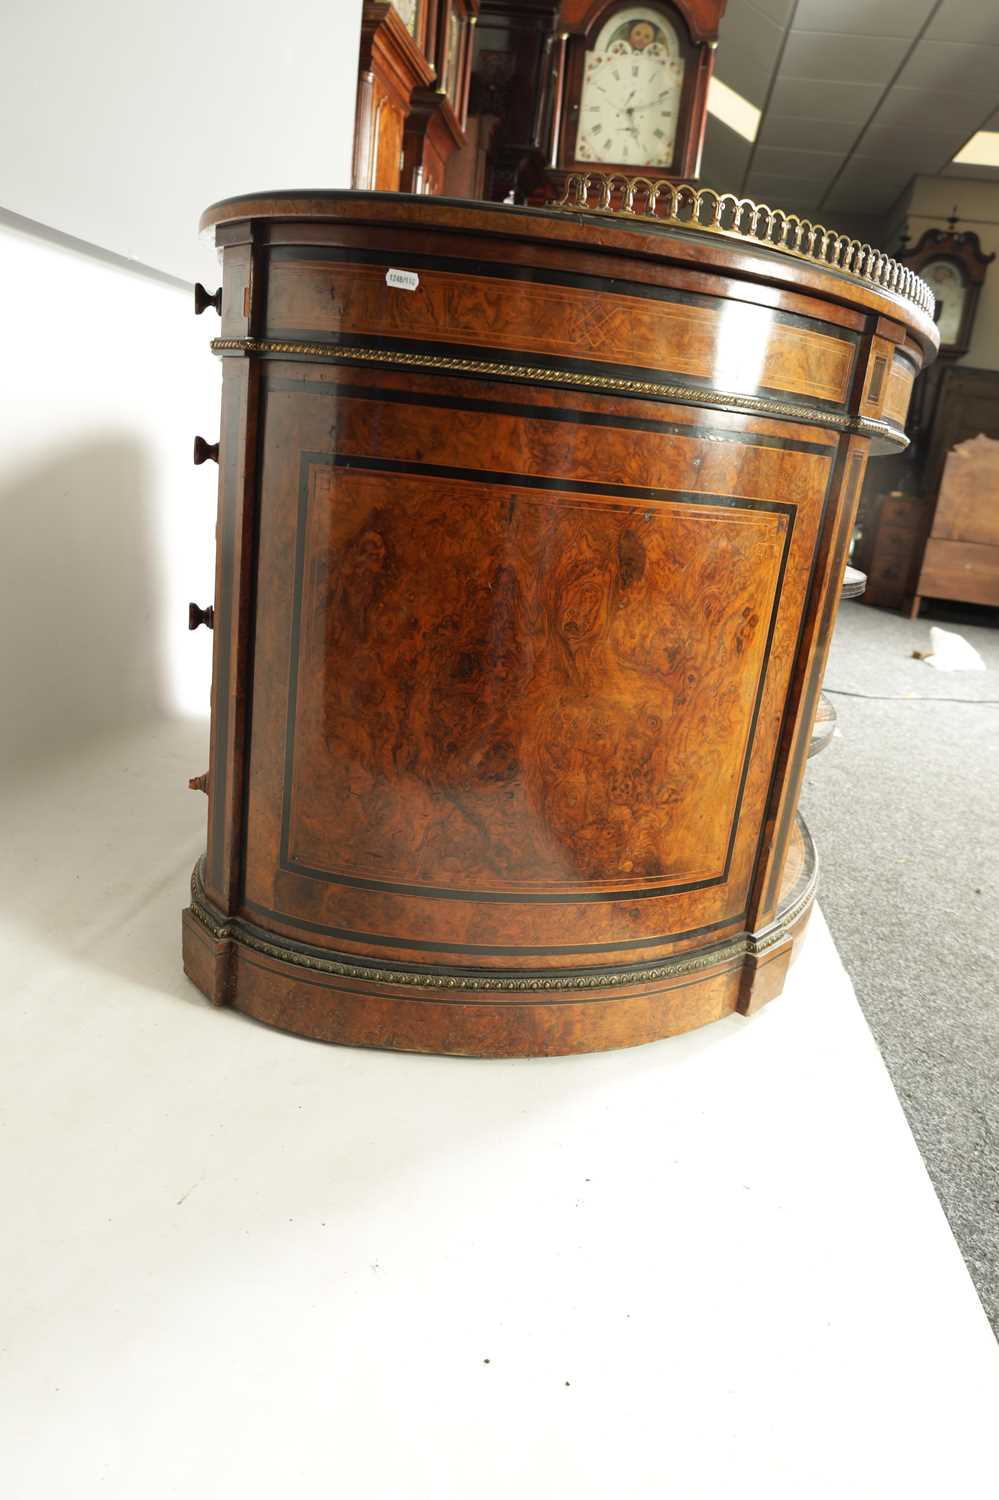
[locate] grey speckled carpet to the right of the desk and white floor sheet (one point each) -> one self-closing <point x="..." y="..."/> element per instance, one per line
<point x="905" y="812"/>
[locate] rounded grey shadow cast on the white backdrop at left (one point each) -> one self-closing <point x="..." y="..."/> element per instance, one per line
<point x="80" y="599"/>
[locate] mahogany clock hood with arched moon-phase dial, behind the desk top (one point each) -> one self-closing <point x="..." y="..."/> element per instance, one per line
<point x="632" y="88"/>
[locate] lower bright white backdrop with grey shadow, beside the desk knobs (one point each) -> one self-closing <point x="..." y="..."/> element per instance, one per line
<point x="109" y="529"/>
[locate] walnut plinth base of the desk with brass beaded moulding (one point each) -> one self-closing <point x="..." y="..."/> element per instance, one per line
<point x="331" y="997"/>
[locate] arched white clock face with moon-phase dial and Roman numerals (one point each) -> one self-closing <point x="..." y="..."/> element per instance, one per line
<point x="631" y="92"/>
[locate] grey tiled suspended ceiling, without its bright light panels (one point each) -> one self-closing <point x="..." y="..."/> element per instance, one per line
<point x="854" y="80"/>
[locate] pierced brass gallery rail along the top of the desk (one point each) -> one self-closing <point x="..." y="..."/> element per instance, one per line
<point x="661" y="202"/>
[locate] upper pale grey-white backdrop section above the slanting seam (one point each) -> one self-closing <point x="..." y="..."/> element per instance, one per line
<point x="124" y="119"/>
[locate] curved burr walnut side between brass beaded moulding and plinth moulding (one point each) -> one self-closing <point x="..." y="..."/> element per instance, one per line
<point x="511" y="484"/>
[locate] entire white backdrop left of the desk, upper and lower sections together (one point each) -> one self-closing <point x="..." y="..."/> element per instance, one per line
<point x="122" y="124"/>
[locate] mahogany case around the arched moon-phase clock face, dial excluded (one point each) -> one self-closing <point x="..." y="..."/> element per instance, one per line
<point x="697" y="28"/>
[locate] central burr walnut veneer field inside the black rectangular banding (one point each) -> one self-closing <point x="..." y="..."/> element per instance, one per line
<point x="560" y="715"/>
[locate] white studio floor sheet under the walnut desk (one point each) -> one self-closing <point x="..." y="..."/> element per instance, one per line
<point x="242" y="1265"/>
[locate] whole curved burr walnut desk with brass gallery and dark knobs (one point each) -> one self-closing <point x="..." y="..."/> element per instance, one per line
<point x="532" y="535"/>
